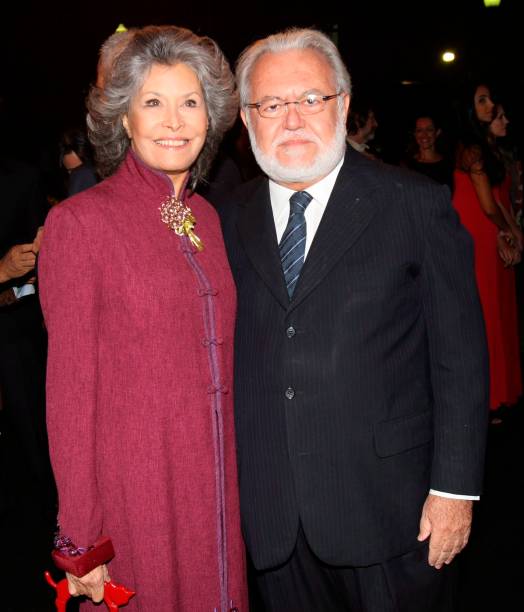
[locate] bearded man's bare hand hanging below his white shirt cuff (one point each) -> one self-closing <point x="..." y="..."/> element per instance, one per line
<point x="447" y="523"/>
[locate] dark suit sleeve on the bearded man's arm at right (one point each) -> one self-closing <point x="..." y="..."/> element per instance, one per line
<point x="458" y="353"/>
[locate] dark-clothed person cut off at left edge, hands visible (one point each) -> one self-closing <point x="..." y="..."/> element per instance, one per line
<point x="27" y="492"/>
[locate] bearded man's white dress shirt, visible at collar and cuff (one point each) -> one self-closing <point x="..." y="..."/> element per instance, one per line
<point x="320" y="193"/>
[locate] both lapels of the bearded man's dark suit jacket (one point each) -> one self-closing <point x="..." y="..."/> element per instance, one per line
<point x="350" y="209"/>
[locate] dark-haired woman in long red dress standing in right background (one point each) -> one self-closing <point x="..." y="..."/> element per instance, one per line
<point x="478" y="178"/>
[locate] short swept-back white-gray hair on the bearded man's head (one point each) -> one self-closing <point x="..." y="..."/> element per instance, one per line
<point x="289" y="40"/>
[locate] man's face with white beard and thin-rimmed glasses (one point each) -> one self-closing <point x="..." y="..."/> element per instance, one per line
<point x="300" y="150"/>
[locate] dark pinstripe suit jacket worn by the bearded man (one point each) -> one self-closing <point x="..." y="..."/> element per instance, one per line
<point x="370" y="386"/>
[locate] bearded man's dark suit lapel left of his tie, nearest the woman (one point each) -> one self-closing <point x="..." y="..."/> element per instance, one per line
<point x="258" y="235"/>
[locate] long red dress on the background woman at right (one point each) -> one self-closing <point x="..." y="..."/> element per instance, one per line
<point x="496" y="286"/>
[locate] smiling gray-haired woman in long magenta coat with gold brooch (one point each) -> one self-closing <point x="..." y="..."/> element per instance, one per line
<point x="140" y="303"/>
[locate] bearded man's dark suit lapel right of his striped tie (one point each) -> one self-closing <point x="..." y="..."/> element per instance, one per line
<point x="350" y="209"/>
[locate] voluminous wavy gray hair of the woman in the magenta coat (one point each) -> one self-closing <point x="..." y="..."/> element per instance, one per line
<point x="110" y="100"/>
